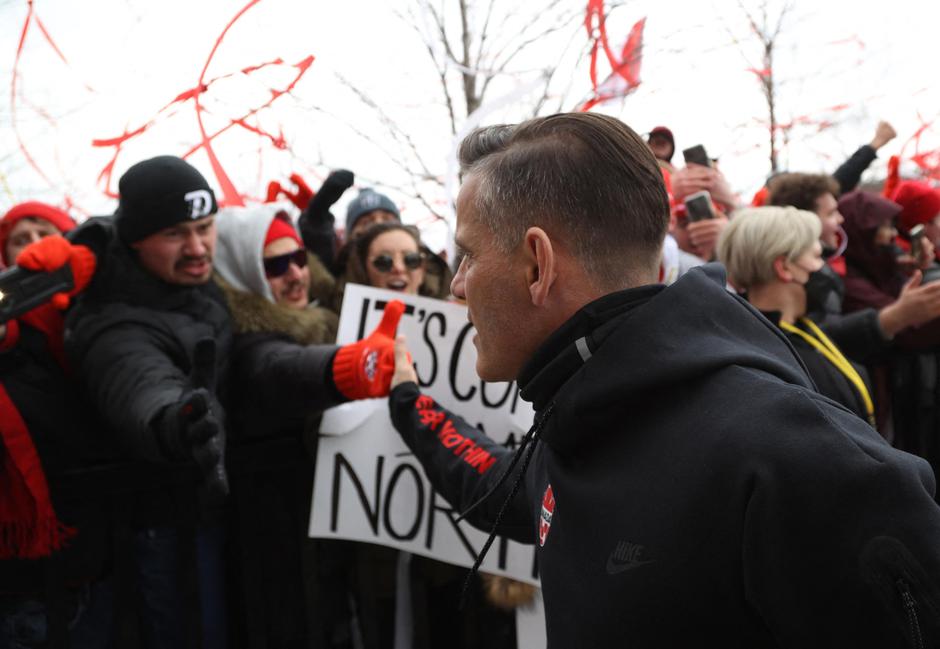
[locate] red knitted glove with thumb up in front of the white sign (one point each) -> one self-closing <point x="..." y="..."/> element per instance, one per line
<point x="363" y="370"/>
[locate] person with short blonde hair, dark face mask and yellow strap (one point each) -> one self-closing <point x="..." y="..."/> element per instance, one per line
<point x="771" y="254"/>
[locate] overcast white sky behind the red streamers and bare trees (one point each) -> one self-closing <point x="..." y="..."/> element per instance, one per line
<point x="136" y="55"/>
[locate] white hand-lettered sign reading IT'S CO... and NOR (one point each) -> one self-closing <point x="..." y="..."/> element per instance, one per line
<point x="369" y="487"/>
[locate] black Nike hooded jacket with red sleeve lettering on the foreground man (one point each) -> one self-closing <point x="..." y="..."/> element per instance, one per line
<point x="690" y="489"/>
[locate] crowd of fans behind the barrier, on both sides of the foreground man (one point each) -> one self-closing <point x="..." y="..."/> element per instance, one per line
<point x="192" y="331"/>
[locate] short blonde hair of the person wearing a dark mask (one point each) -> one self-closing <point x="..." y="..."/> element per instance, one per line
<point x="757" y="236"/>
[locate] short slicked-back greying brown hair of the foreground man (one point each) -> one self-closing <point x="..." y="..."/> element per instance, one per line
<point x="586" y="179"/>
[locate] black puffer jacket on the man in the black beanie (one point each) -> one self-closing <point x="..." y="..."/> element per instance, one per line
<point x="131" y="341"/>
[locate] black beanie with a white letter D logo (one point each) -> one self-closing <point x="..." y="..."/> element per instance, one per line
<point x="159" y="193"/>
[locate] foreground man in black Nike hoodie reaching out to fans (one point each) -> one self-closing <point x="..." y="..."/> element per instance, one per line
<point x="684" y="483"/>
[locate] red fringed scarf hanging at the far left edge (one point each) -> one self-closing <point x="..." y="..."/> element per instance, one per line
<point x="29" y="527"/>
